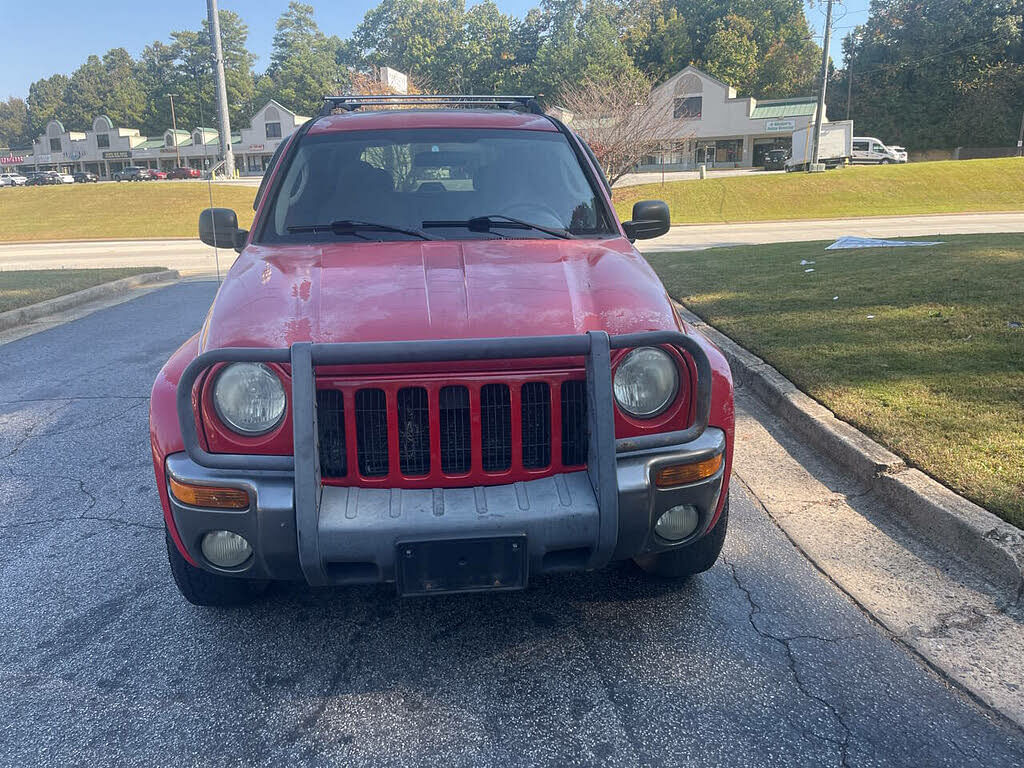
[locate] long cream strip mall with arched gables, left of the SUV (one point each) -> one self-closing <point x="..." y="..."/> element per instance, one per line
<point x="107" y="149"/>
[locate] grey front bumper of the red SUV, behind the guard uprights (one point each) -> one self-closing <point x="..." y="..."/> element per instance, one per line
<point x="359" y="530"/>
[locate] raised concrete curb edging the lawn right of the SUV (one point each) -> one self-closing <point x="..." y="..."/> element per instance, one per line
<point x="922" y="505"/>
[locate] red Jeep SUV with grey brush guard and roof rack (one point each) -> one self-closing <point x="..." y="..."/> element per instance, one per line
<point x="438" y="362"/>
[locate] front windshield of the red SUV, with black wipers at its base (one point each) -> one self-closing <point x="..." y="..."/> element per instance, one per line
<point x="444" y="181"/>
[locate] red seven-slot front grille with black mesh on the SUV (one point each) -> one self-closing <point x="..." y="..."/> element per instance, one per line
<point x="501" y="410"/>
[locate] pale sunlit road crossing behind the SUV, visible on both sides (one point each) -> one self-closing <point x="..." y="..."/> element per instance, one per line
<point x="191" y="258"/>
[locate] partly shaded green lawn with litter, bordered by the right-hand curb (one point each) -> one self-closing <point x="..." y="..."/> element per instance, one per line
<point x="923" y="348"/>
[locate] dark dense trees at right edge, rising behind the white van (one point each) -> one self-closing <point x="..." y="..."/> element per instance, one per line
<point x="937" y="75"/>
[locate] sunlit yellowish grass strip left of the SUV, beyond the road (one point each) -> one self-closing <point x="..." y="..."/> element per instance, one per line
<point x="148" y="209"/>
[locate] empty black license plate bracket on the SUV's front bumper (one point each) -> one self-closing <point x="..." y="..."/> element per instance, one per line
<point x="482" y="565"/>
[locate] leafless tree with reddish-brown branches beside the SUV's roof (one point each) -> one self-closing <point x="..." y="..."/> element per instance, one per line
<point x="617" y="118"/>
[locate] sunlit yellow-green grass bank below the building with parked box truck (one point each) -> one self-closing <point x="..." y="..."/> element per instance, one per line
<point x="860" y="191"/>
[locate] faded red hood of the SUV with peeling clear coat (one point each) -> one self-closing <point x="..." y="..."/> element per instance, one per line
<point x="276" y="296"/>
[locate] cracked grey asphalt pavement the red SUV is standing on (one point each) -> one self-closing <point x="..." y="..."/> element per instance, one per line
<point x="760" y="662"/>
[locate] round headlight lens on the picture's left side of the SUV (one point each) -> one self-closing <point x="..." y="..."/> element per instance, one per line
<point x="249" y="398"/>
